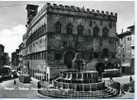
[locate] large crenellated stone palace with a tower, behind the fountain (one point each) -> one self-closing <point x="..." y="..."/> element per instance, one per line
<point x="57" y="32"/>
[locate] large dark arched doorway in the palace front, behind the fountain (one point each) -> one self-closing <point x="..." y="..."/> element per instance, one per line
<point x="68" y="57"/>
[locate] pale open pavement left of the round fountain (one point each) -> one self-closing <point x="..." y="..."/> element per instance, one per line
<point x="20" y="90"/>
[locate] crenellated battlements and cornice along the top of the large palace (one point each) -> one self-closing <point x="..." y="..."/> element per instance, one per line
<point x="65" y="9"/>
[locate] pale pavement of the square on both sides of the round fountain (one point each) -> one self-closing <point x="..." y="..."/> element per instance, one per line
<point x="21" y="90"/>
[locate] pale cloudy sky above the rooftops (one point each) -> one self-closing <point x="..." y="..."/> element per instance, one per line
<point x="13" y="17"/>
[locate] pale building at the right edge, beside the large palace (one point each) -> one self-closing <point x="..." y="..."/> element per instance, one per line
<point x="127" y="49"/>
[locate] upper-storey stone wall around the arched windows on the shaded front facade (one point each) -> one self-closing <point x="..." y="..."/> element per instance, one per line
<point x="88" y="24"/>
